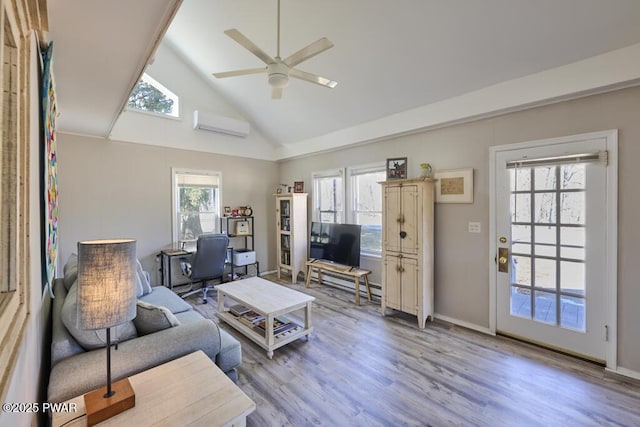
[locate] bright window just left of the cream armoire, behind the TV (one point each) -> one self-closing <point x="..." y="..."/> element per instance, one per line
<point x="366" y="205"/>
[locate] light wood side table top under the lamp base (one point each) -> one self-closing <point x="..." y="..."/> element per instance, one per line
<point x="188" y="390"/>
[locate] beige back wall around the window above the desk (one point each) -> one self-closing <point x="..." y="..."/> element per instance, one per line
<point x="118" y="189"/>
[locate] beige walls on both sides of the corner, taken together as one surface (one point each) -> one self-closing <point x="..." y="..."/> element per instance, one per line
<point x="110" y="188"/>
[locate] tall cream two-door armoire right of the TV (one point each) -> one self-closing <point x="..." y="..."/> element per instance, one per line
<point x="407" y="247"/>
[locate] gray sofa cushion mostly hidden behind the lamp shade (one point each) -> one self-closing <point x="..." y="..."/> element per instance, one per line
<point x="91" y="339"/>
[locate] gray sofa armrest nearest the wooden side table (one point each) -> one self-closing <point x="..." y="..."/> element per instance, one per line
<point x="84" y="372"/>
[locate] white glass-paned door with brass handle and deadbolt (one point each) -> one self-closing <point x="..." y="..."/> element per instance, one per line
<point x="552" y="238"/>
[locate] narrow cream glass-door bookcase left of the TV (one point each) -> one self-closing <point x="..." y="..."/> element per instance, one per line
<point x="291" y="238"/>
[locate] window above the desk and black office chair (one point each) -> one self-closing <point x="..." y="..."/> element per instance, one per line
<point x="196" y="205"/>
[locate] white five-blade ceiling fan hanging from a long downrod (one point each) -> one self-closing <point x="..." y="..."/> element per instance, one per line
<point x="279" y="70"/>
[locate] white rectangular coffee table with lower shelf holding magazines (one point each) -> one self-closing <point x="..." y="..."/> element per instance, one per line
<point x="270" y="300"/>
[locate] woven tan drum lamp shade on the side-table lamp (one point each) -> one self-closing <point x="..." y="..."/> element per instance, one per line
<point x="106" y="283"/>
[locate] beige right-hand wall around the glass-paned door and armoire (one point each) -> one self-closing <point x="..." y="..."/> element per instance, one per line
<point x="462" y="260"/>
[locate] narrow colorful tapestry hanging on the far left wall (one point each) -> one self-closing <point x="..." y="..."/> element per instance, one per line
<point x="49" y="173"/>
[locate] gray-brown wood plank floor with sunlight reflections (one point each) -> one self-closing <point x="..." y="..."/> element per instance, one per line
<point x="362" y="369"/>
